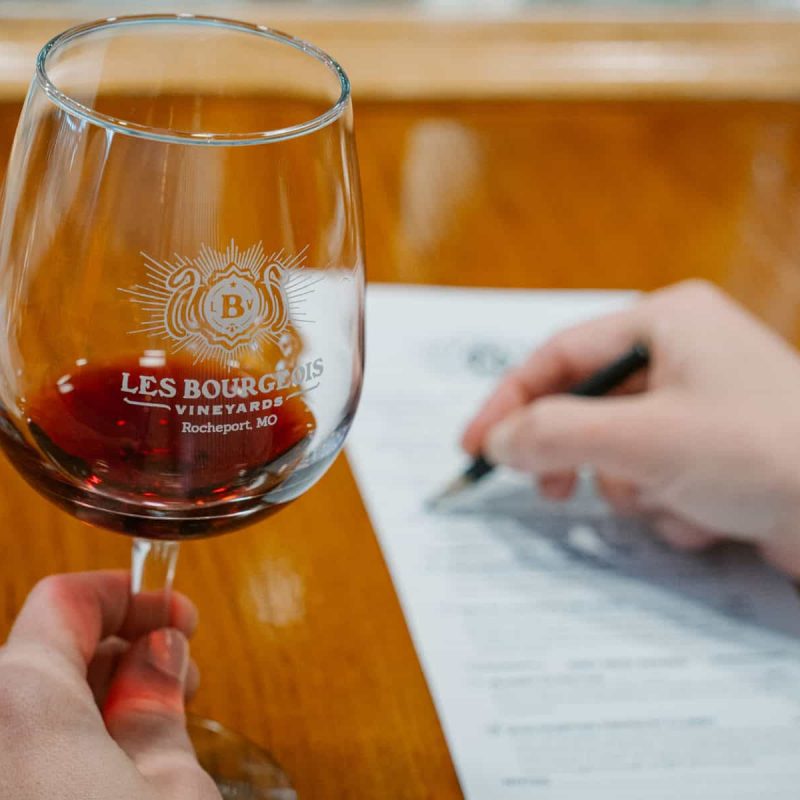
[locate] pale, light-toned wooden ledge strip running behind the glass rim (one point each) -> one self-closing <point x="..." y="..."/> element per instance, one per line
<point x="406" y="55"/>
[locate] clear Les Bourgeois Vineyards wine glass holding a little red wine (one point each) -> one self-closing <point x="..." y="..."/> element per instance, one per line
<point x="181" y="289"/>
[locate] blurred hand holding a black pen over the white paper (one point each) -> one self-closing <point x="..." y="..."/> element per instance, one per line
<point x="705" y="442"/>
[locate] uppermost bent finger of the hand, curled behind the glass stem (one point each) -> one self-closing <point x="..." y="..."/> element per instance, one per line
<point x="71" y="614"/>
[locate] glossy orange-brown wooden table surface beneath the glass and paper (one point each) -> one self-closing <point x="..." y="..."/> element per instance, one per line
<point x="302" y="645"/>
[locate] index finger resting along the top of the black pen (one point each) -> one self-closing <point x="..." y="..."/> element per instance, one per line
<point x="556" y="366"/>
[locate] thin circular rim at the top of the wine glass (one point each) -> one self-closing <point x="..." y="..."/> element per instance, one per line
<point x="76" y="108"/>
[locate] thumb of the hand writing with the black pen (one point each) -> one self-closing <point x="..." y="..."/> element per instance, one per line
<point x="634" y="438"/>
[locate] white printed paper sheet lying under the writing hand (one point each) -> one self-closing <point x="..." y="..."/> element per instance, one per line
<point x="569" y="653"/>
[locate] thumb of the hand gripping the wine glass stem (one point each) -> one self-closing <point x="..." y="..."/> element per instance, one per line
<point x="144" y="714"/>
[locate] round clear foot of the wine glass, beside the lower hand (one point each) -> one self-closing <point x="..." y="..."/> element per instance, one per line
<point x="241" y="769"/>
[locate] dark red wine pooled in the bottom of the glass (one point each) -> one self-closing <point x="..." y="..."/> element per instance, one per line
<point x="167" y="451"/>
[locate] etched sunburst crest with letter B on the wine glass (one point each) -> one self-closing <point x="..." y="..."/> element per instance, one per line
<point x="220" y="303"/>
